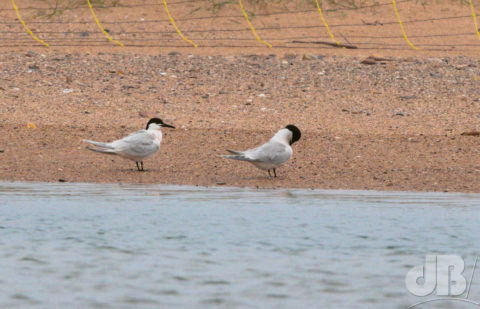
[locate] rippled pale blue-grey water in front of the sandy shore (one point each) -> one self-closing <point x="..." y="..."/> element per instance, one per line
<point x="143" y="246"/>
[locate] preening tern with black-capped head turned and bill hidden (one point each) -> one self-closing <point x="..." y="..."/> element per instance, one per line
<point x="273" y="153"/>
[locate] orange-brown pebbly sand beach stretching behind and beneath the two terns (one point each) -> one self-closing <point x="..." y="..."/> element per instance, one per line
<point x="409" y="120"/>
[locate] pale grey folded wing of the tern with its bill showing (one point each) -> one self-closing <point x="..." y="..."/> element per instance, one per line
<point x="139" y="143"/>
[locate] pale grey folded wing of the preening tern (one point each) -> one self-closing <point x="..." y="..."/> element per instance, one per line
<point x="271" y="152"/>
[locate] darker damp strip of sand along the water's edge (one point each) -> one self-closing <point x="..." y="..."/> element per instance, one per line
<point x="431" y="163"/>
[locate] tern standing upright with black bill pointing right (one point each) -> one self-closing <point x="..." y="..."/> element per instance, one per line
<point x="137" y="146"/>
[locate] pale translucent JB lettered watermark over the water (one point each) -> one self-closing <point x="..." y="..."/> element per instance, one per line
<point x="441" y="277"/>
